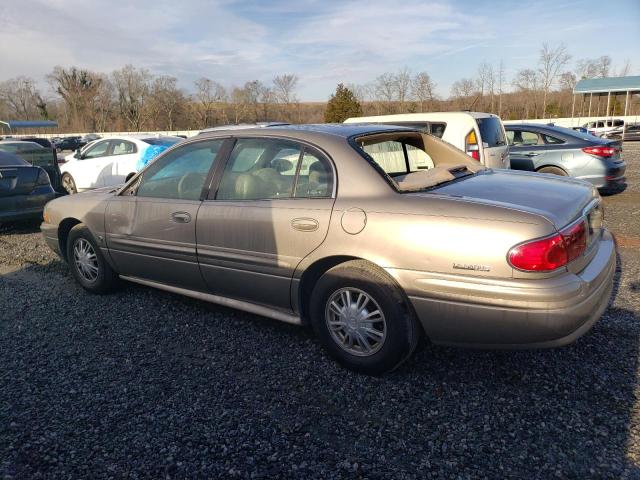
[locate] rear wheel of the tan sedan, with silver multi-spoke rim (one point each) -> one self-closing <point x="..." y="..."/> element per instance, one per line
<point x="362" y="318"/>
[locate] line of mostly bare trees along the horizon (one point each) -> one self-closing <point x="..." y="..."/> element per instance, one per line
<point x="134" y="99"/>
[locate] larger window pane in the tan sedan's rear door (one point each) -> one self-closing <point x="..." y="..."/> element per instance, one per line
<point x="260" y="168"/>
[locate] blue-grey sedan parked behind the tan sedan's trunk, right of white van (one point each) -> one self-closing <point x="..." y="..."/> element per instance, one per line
<point x="562" y="151"/>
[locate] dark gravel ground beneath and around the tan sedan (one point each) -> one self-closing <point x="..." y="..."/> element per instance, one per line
<point x="145" y="384"/>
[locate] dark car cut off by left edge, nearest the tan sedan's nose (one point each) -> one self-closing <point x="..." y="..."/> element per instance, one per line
<point x="24" y="189"/>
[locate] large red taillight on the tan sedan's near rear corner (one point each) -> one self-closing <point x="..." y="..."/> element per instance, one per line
<point x="550" y="253"/>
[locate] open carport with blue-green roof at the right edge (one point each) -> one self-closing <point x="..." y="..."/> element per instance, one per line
<point x="599" y="87"/>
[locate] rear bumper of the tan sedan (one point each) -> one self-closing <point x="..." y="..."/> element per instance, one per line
<point x="487" y="313"/>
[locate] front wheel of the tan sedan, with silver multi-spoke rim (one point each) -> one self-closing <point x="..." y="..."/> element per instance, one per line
<point x="88" y="265"/>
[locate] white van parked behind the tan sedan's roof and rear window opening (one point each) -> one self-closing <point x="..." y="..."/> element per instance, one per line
<point x="480" y="135"/>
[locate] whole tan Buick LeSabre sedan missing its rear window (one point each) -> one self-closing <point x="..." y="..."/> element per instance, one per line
<point x="302" y="224"/>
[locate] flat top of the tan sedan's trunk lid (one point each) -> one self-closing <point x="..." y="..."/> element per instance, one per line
<point x="559" y="199"/>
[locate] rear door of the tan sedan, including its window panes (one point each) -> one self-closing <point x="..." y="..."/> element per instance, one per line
<point x="271" y="209"/>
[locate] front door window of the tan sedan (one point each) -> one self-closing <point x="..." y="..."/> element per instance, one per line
<point x="181" y="174"/>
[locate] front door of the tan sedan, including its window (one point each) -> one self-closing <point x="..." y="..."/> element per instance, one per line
<point x="151" y="225"/>
